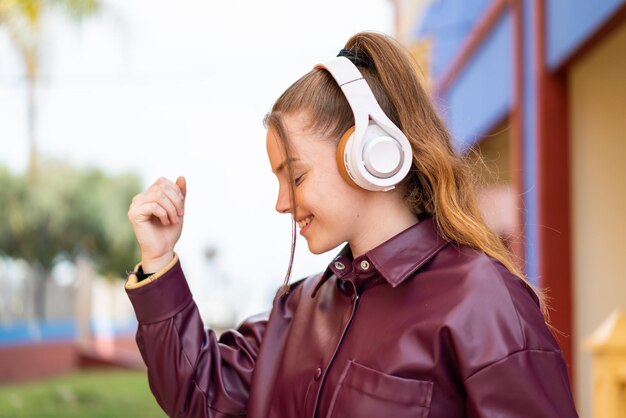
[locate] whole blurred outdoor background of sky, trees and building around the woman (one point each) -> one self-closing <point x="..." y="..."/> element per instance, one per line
<point x="99" y="98"/>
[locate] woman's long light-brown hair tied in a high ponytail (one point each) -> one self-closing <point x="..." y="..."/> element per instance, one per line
<point x="440" y="182"/>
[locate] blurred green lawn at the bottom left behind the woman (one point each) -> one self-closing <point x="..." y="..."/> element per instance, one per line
<point x="88" y="394"/>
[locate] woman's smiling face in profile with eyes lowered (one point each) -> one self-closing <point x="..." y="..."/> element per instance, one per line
<point x="328" y="210"/>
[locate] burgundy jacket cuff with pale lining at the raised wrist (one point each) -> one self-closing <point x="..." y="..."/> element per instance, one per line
<point x="163" y="298"/>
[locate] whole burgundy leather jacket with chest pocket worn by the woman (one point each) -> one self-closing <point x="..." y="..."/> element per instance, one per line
<point x="416" y="327"/>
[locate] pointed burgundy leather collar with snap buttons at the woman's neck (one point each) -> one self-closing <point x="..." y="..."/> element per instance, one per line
<point x="395" y="259"/>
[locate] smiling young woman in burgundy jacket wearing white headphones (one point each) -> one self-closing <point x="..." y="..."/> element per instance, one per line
<point x="421" y="314"/>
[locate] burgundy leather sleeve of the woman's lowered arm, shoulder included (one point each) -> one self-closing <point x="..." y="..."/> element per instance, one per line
<point x="510" y="363"/>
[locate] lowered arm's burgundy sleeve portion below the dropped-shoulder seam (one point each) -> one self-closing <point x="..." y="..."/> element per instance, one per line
<point x="528" y="383"/>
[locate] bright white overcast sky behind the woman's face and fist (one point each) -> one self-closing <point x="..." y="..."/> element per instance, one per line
<point x="181" y="88"/>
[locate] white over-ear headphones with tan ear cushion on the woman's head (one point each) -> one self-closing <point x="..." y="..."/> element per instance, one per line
<point x="374" y="154"/>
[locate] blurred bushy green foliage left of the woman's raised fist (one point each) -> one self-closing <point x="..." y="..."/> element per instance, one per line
<point x="68" y="212"/>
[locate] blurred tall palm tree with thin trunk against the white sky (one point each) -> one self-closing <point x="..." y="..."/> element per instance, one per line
<point x="22" y="19"/>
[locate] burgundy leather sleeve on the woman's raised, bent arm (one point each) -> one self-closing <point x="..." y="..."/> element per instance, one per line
<point x="191" y="373"/>
